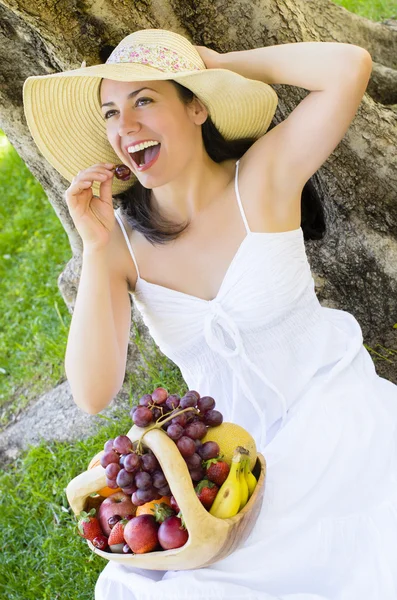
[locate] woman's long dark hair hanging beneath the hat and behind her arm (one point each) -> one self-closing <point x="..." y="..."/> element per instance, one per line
<point x="144" y="217"/>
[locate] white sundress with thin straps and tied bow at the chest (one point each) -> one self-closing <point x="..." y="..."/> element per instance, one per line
<point x="297" y="376"/>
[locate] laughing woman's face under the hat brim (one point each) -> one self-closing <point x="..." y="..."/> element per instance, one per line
<point x="151" y="111"/>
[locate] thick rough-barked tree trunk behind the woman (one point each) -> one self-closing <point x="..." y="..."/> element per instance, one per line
<point x="354" y="266"/>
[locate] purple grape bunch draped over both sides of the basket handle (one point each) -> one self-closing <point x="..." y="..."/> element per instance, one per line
<point x="140" y="474"/>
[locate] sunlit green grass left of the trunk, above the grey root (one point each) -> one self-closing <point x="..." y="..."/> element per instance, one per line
<point x="34" y="319"/>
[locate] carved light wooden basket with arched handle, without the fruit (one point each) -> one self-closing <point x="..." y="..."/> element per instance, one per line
<point x="210" y="539"/>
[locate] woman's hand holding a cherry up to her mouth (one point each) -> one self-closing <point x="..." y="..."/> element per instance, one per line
<point x="93" y="216"/>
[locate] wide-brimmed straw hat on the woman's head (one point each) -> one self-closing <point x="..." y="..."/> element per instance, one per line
<point x="63" y="109"/>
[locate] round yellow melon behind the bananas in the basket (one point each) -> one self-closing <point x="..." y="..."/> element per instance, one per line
<point x="230" y="435"/>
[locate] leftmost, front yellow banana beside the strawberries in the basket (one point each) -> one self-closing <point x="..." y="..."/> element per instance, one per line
<point x="228" y="499"/>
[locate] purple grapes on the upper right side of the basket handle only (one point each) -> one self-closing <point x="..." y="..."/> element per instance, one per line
<point x="186" y="429"/>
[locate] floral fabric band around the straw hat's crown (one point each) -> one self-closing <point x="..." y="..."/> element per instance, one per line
<point x="152" y="55"/>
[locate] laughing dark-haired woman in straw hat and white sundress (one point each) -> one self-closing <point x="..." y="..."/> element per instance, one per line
<point x="216" y="263"/>
